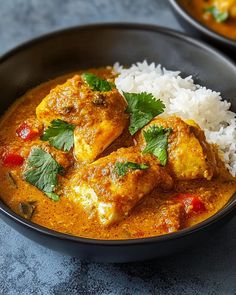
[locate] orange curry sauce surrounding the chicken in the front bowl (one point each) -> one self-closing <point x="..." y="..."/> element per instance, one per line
<point x="64" y="216"/>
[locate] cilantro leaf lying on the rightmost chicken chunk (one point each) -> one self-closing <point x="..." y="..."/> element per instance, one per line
<point x="156" y="138"/>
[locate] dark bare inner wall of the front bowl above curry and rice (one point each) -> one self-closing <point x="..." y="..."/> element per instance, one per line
<point x="101" y="45"/>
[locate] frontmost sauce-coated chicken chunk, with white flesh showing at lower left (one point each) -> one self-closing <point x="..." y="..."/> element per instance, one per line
<point x="103" y="192"/>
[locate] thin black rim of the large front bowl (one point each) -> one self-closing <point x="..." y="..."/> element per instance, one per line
<point x="223" y="212"/>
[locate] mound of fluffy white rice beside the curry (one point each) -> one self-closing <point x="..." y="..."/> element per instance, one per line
<point x="187" y="100"/>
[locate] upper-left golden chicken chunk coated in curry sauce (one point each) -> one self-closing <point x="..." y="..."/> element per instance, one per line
<point x="99" y="116"/>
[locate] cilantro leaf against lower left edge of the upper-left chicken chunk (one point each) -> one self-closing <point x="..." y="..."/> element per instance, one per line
<point x="60" y="134"/>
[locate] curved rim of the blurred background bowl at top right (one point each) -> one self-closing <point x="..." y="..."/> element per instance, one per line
<point x="200" y="26"/>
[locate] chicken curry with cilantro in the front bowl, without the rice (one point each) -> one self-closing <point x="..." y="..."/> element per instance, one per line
<point x="80" y="158"/>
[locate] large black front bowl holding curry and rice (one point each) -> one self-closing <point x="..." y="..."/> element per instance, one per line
<point x="98" y="45"/>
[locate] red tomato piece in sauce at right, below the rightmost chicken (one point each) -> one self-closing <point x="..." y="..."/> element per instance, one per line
<point x="191" y="203"/>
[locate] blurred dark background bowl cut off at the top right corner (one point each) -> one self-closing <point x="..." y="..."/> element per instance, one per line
<point x="198" y="29"/>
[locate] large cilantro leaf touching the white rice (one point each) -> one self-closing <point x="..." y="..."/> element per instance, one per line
<point x="143" y="107"/>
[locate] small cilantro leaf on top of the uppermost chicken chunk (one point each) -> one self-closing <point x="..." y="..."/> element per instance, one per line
<point x="96" y="83"/>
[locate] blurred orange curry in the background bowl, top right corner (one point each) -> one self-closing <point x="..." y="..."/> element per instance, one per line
<point x="218" y="15"/>
